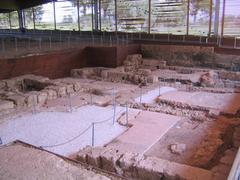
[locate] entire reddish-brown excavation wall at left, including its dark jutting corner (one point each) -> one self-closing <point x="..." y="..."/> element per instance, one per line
<point x="59" y="64"/>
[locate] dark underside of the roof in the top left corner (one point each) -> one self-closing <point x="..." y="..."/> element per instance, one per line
<point x="13" y="5"/>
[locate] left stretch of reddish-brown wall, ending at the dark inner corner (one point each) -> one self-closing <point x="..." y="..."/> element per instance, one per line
<point x="52" y="65"/>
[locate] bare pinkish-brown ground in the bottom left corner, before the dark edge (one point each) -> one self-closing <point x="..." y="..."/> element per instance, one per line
<point x="24" y="162"/>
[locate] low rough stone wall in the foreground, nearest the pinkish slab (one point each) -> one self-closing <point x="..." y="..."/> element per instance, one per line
<point x="133" y="165"/>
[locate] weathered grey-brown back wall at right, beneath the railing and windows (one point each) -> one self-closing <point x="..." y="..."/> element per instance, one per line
<point x="191" y="56"/>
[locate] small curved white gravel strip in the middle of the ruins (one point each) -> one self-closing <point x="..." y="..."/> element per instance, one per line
<point x="150" y="96"/>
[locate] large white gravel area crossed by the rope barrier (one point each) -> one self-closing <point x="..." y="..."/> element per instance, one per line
<point x="54" y="128"/>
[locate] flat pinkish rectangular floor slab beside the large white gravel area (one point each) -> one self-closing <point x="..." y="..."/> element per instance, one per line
<point x="147" y="128"/>
